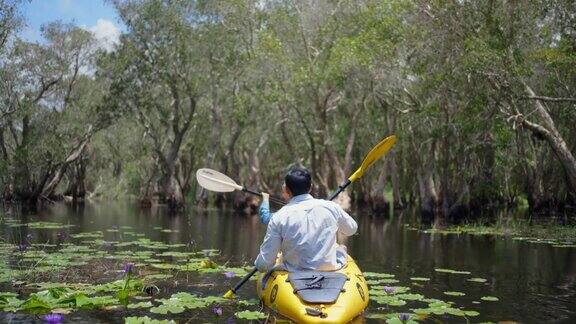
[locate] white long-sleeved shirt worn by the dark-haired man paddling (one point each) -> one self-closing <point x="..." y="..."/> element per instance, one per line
<point x="305" y="232"/>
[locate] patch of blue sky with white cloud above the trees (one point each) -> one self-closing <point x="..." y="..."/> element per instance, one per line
<point x="97" y="16"/>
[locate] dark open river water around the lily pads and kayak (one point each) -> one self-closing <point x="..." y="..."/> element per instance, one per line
<point x="535" y="283"/>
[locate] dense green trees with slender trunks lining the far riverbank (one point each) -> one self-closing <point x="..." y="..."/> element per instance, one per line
<point x="480" y="94"/>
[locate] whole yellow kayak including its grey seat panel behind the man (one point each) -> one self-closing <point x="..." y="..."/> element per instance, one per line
<point x="316" y="297"/>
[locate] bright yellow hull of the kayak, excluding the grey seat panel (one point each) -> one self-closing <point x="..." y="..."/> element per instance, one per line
<point x="278" y="295"/>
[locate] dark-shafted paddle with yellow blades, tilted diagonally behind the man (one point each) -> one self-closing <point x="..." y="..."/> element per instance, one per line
<point x="377" y="152"/>
